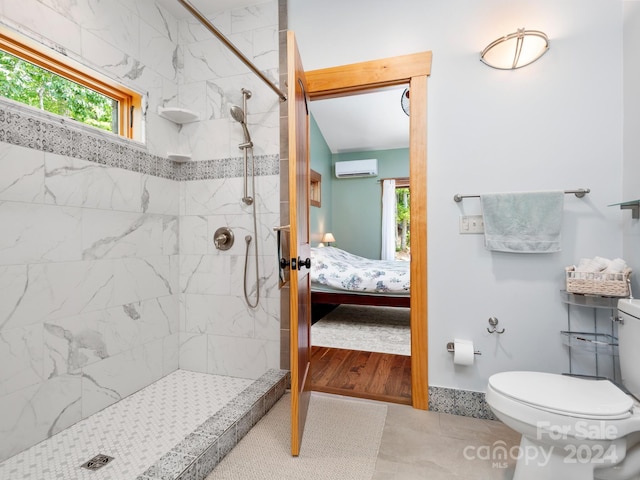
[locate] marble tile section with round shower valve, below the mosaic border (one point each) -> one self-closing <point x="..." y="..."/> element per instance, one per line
<point x="219" y="333"/>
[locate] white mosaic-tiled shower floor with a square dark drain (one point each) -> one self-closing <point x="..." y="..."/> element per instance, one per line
<point x="136" y="431"/>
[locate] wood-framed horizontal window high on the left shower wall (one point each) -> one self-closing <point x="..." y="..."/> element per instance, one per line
<point x="43" y="79"/>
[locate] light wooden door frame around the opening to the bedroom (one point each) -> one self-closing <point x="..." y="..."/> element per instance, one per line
<point x="363" y="77"/>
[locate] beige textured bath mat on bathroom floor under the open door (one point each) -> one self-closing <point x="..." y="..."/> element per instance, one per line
<point x="340" y="442"/>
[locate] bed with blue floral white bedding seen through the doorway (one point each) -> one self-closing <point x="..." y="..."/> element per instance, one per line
<point x="339" y="277"/>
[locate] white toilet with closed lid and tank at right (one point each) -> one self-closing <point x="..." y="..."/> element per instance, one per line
<point x="576" y="428"/>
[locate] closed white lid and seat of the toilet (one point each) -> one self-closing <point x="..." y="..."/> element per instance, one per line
<point x="572" y="396"/>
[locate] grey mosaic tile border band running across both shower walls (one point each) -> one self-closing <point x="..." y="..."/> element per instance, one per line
<point x="27" y="127"/>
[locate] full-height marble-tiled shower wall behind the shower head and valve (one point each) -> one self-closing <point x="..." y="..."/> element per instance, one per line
<point x="219" y="333"/>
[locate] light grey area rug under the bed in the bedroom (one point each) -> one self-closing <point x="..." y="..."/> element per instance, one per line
<point x="367" y="328"/>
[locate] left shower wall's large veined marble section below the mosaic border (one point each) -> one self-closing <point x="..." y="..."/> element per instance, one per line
<point x="88" y="289"/>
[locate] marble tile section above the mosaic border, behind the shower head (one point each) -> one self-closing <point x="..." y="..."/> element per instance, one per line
<point x="211" y="79"/>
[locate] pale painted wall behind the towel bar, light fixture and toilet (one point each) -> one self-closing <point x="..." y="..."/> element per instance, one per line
<point x="556" y="124"/>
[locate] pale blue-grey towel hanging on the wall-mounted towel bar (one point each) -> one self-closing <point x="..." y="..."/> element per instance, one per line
<point x="523" y="222"/>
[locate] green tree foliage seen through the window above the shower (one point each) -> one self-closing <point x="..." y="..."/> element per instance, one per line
<point x="30" y="84"/>
